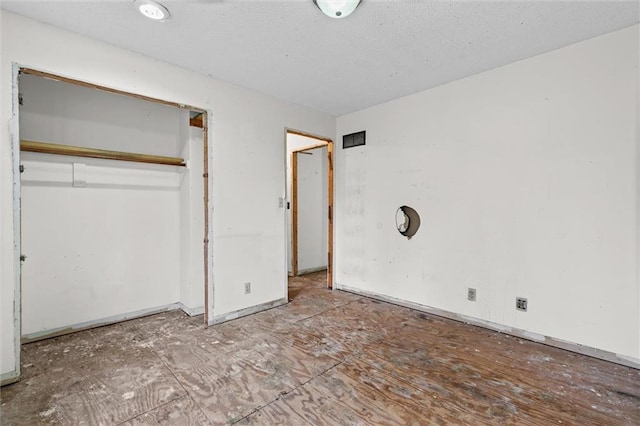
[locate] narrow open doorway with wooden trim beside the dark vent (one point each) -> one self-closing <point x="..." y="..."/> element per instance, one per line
<point x="310" y="191"/>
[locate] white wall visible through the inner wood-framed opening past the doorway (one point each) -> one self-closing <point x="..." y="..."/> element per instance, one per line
<point x="312" y="210"/>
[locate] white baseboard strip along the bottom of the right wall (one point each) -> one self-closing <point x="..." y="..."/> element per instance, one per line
<point x="534" y="337"/>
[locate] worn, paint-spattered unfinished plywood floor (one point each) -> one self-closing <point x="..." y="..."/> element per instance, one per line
<point x="326" y="358"/>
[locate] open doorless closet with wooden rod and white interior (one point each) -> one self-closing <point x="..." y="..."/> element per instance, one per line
<point x="112" y="222"/>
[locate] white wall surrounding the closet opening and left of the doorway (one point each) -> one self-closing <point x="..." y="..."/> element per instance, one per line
<point x="247" y="149"/>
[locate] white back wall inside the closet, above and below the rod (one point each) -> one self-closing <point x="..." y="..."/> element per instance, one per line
<point x="112" y="246"/>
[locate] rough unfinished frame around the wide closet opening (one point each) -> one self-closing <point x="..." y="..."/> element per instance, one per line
<point x="17" y="70"/>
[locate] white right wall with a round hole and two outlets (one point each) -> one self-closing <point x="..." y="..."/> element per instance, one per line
<point x="526" y="181"/>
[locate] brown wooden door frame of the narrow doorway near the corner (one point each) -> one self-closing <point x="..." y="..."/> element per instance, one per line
<point x="322" y="142"/>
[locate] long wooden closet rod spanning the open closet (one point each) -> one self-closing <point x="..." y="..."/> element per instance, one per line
<point x="51" y="148"/>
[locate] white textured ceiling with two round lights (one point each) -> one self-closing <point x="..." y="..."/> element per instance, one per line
<point x="384" y="50"/>
